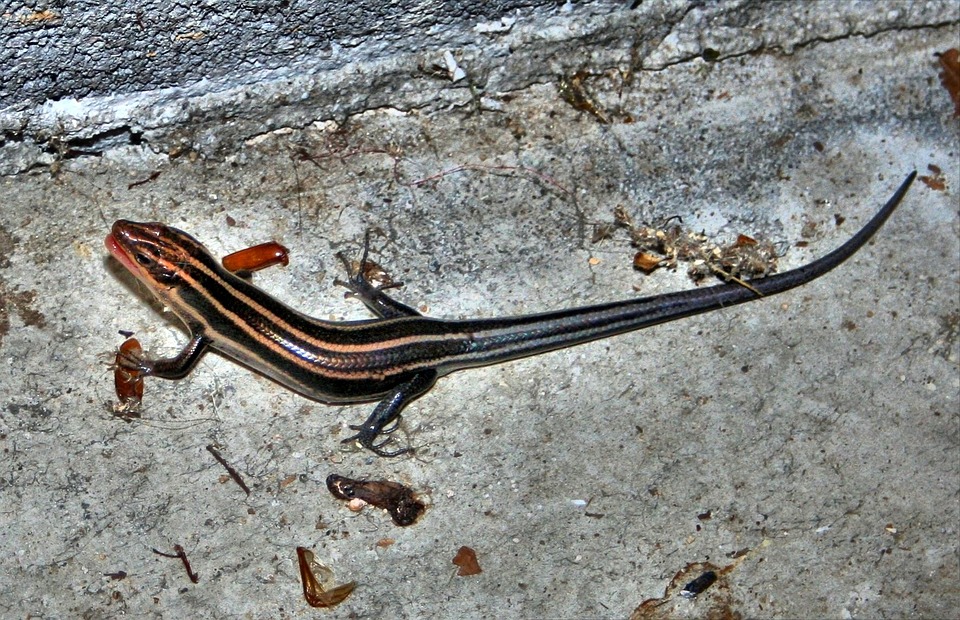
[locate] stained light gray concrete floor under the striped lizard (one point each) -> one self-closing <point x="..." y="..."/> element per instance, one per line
<point x="806" y="444"/>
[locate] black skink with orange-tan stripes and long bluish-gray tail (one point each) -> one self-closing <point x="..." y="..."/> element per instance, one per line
<point x="398" y="356"/>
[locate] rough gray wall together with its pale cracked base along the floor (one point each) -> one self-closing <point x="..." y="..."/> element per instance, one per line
<point x="89" y="76"/>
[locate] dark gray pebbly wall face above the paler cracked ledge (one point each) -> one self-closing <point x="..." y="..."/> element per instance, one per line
<point x="74" y="50"/>
